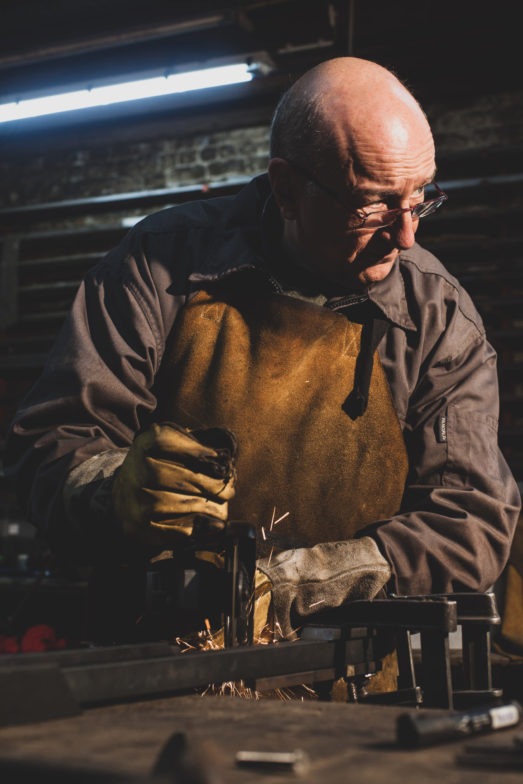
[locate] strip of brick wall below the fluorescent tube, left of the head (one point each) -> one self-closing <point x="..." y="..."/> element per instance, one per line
<point x="143" y="165"/>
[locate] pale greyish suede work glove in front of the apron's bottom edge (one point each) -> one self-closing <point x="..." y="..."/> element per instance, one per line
<point x="309" y="579"/>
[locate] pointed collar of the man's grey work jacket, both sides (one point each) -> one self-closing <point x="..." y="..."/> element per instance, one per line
<point x="249" y="232"/>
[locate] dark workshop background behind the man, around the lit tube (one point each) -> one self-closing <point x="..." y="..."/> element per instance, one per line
<point x="71" y="185"/>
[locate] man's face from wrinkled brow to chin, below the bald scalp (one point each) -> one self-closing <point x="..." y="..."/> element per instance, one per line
<point x="321" y="233"/>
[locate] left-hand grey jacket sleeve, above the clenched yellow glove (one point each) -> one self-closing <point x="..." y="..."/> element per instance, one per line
<point x="96" y="387"/>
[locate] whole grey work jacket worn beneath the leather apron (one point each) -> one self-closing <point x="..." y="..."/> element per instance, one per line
<point x="461" y="503"/>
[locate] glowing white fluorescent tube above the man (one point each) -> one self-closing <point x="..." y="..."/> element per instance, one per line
<point x="126" y="91"/>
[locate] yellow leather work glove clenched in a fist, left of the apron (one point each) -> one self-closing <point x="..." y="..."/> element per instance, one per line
<point x="175" y="483"/>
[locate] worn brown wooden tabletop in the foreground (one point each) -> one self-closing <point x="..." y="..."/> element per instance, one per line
<point x="345" y="742"/>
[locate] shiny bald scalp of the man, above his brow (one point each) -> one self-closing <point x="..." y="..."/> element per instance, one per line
<point x="351" y="114"/>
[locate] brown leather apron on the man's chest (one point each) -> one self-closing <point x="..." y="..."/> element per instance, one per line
<point x="276" y="371"/>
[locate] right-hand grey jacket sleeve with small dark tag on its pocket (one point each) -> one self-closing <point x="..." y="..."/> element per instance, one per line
<point x="461" y="503"/>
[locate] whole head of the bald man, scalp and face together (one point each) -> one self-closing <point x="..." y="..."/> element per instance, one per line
<point x="349" y="139"/>
